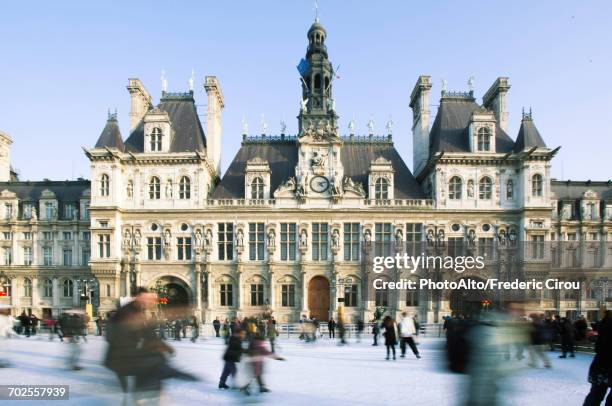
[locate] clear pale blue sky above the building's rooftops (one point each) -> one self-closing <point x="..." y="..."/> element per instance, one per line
<point x="63" y="64"/>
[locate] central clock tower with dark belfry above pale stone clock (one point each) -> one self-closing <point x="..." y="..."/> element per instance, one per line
<point x="319" y="171"/>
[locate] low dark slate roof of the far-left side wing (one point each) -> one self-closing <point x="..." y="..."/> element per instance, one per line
<point x="64" y="191"/>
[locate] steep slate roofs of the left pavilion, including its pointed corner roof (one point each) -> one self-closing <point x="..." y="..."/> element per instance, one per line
<point x="187" y="129"/>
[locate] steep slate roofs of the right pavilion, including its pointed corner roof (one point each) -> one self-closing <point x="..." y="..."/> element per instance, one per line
<point x="450" y="130"/>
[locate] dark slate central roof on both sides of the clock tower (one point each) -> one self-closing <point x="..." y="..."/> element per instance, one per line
<point x="282" y="156"/>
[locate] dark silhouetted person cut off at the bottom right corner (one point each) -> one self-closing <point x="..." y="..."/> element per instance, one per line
<point x="600" y="372"/>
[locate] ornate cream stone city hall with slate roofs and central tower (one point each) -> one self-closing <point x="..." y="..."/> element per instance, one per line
<point x="293" y="226"/>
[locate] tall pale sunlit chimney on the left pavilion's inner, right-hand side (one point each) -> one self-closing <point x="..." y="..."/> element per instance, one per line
<point x="213" y="121"/>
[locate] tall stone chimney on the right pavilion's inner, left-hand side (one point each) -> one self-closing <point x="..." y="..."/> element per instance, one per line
<point x="419" y="102"/>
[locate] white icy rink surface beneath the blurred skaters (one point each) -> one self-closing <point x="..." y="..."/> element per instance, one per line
<point x="320" y="374"/>
